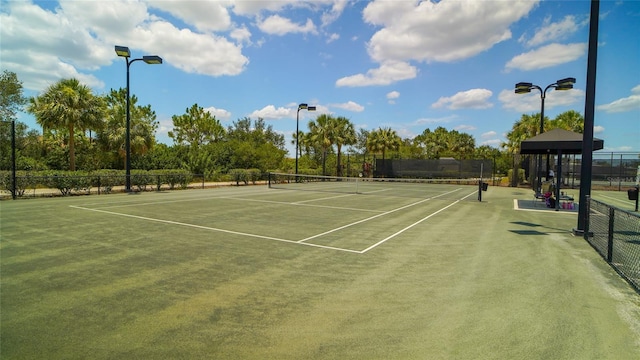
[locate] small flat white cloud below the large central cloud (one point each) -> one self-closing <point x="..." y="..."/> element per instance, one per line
<point x="388" y="73"/>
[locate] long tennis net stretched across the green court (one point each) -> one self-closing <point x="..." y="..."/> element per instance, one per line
<point x="417" y="188"/>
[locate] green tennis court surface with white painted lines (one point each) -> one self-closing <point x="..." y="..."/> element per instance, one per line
<point x="252" y="272"/>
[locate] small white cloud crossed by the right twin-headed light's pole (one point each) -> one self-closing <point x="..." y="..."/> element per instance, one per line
<point x="529" y="103"/>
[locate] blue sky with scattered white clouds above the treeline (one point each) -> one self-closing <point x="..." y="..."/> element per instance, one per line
<point x="408" y="65"/>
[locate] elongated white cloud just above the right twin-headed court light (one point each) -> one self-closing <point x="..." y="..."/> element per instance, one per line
<point x="547" y="56"/>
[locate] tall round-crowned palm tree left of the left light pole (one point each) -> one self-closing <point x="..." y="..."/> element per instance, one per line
<point x="70" y="105"/>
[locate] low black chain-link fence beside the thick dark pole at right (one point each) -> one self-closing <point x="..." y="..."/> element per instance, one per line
<point x="615" y="234"/>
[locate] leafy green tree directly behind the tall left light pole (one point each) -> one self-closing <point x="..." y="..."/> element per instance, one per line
<point x="112" y="135"/>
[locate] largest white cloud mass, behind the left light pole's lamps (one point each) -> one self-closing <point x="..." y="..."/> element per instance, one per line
<point x="84" y="36"/>
